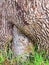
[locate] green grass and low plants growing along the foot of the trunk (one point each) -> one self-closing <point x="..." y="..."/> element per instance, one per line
<point x="34" y="58"/>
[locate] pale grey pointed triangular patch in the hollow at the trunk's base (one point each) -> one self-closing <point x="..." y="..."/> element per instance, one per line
<point x="21" y="43"/>
